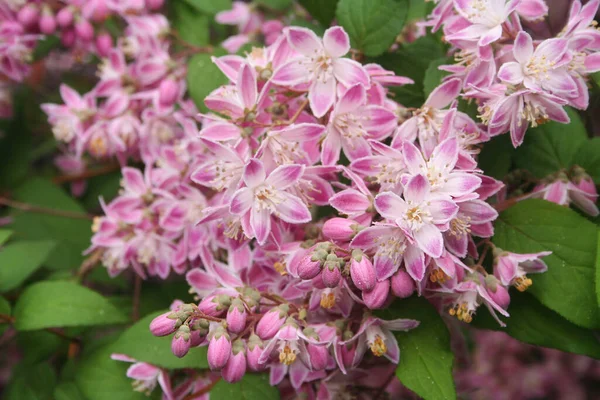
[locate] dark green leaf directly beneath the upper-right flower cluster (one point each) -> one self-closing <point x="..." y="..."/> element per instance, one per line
<point x="551" y="147"/>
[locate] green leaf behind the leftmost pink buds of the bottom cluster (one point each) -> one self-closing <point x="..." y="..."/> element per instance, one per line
<point x="139" y="343"/>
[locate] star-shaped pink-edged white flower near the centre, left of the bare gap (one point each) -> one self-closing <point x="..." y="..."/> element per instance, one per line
<point x="265" y="195"/>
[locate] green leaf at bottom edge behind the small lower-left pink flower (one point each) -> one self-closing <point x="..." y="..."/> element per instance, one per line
<point x="101" y="378"/>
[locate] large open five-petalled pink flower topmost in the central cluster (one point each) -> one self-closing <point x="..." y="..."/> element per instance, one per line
<point x="321" y="65"/>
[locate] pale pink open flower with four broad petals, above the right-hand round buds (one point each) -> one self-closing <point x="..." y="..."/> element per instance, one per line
<point x="422" y="214"/>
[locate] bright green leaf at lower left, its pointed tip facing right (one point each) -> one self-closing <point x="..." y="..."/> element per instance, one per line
<point x="59" y="304"/>
